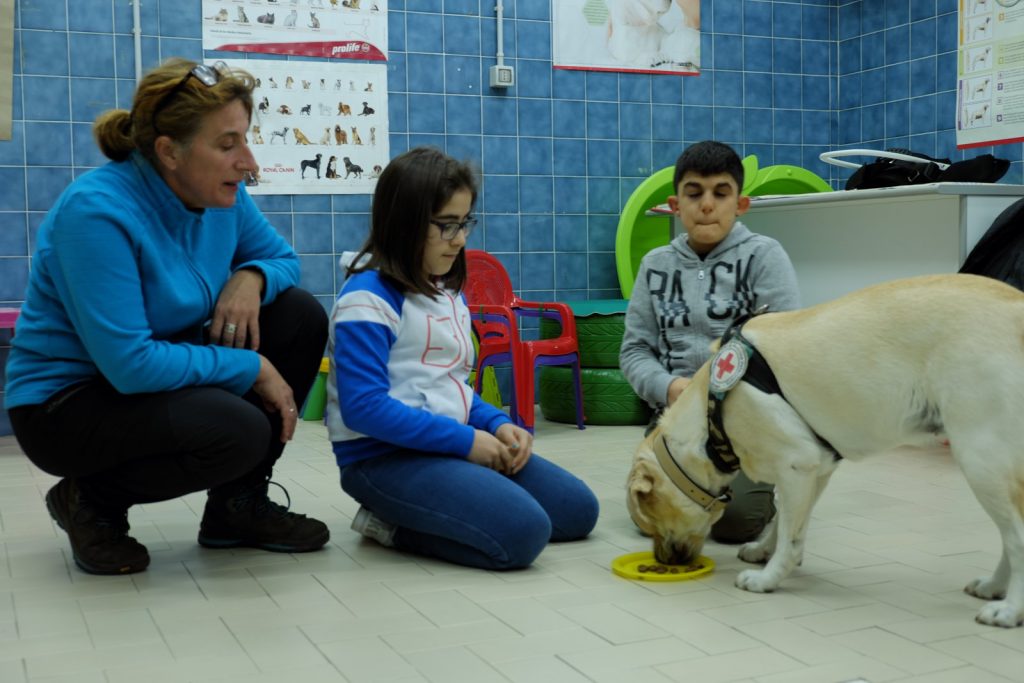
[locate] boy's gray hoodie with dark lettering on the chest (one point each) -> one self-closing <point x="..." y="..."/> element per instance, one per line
<point x="681" y="304"/>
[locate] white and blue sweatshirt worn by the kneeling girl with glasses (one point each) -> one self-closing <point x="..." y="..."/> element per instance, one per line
<point x="405" y="361"/>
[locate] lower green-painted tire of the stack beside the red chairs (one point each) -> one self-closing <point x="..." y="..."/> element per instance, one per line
<point x="608" y="398"/>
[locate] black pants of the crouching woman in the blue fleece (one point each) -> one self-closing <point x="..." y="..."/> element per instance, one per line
<point x="129" y="449"/>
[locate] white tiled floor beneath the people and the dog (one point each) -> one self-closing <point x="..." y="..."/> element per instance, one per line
<point x="879" y="596"/>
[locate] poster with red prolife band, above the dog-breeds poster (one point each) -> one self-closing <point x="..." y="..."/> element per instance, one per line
<point x="338" y="29"/>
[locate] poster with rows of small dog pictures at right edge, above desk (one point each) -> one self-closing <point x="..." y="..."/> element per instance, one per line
<point x="991" y="73"/>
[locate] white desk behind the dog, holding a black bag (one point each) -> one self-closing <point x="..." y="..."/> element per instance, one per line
<point x="843" y="241"/>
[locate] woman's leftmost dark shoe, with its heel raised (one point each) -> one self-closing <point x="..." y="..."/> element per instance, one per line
<point x="99" y="536"/>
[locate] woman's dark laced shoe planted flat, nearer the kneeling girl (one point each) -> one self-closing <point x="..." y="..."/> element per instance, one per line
<point x="249" y="519"/>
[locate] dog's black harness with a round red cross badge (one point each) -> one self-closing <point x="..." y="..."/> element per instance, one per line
<point x="738" y="360"/>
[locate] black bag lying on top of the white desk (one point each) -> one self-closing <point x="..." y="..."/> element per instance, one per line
<point x="887" y="173"/>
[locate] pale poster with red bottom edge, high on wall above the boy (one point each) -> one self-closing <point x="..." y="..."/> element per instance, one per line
<point x="639" y="36"/>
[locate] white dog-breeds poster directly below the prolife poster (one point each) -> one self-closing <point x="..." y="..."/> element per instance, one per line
<point x="318" y="129"/>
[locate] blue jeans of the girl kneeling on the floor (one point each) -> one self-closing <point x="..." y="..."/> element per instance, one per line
<point x="455" y="510"/>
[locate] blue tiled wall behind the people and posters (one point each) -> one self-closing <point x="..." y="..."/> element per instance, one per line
<point x="560" y="154"/>
